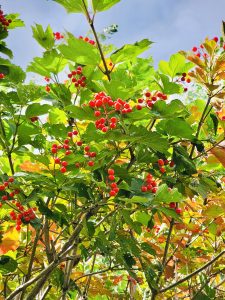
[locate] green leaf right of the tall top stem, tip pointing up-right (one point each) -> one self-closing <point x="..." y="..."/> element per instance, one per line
<point x="130" y="52"/>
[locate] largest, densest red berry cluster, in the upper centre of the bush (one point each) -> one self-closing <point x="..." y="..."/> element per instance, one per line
<point x="104" y="106"/>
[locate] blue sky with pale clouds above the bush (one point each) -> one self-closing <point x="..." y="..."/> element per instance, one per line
<point x="172" y="24"/>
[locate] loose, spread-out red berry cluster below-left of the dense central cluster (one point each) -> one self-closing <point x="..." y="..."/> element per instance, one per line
<point x="67" y="148"/>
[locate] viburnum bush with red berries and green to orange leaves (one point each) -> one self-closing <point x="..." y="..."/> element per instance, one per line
<point x="112" y="172"/>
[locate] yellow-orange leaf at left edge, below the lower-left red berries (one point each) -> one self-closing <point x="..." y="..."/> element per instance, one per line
<point x="10" y="241"/>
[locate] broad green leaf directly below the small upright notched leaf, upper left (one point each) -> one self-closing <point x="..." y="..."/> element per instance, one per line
<point x="51" y="62"/>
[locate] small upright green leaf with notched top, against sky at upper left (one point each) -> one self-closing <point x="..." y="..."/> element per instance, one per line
<point x="44" y="37"/>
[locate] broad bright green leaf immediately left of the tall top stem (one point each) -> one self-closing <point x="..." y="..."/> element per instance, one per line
<point x="80" y="52"/>
